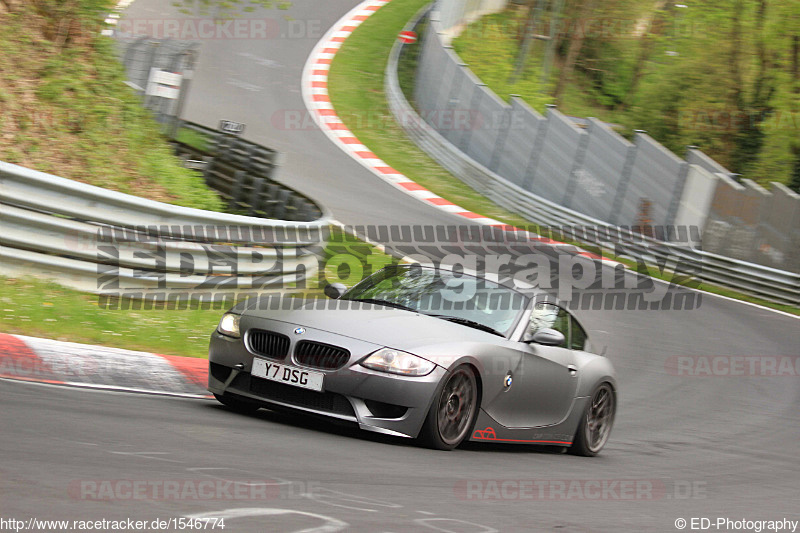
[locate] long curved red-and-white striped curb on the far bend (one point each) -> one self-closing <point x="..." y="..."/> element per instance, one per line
<point x="318" y="102"/>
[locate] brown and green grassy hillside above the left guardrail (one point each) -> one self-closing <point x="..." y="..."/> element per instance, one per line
<point x="65" y="110"/>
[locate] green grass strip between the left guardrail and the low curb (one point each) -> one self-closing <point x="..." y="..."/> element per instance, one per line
<point x="41" y="308"/>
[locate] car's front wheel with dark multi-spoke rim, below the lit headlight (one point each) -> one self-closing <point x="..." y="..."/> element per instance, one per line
<point x="453" y="411"/>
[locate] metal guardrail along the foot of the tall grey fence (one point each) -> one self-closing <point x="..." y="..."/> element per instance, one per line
<point x="764" y="282"/>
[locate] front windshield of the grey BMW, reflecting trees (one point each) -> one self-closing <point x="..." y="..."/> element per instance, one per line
<point x="452" y="296"/>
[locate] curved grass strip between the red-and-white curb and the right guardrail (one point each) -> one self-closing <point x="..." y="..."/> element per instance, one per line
<point x="356" y="89"/>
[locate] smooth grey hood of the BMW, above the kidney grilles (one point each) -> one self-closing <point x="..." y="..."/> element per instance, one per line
<point x="395" y="328"/>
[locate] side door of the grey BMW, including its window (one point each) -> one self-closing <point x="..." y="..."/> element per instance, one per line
<point x="544" y="385"/>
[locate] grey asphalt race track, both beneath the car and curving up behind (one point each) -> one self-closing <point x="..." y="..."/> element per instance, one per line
<point x="684" y="445"/>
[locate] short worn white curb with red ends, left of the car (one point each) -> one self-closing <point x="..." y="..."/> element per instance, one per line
<point x="82" y="365"/>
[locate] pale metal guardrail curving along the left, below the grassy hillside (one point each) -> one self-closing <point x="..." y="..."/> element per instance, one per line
<point x="116" y="244"/>
